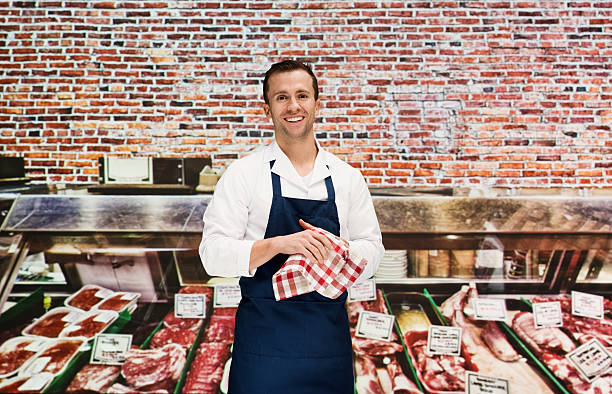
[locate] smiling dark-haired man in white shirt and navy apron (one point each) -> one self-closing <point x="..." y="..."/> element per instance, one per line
<point x="260" y="213"/>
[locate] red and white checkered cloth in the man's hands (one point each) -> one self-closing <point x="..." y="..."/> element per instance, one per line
<point x="299" y="275"/>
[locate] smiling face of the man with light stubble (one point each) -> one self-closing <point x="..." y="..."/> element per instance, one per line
<point x="292" y="105"/>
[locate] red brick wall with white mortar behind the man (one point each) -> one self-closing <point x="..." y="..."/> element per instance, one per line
<point x="452" y="93"/>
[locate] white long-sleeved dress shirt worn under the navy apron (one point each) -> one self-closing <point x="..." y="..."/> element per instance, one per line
<point x="238" y="213"/>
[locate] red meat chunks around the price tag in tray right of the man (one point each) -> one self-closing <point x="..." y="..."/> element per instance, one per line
<point x="438" y="373"/>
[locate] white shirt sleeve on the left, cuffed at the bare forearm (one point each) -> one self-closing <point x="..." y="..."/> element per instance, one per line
<point x="223" y="249"/>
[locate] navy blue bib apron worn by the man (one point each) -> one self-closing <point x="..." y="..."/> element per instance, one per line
<point x="297" y="345"/>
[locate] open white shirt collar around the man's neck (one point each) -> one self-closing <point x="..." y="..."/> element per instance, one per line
<point x="283" y="167"/>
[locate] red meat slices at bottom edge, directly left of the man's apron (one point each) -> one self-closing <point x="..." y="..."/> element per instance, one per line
<point x="207" y="368"/>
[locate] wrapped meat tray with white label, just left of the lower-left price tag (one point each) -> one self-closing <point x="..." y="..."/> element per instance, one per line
<point x="54" y="357"/>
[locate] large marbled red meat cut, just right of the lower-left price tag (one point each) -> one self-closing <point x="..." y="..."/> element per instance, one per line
<point x="154" y="368"/>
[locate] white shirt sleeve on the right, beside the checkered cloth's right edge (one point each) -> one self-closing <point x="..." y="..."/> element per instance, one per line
<point x="364" y="238"/>
